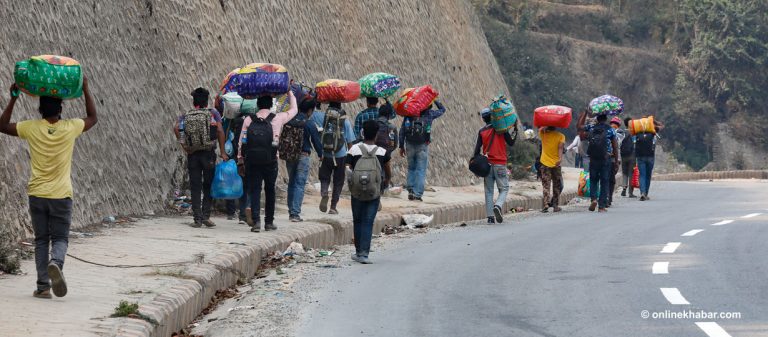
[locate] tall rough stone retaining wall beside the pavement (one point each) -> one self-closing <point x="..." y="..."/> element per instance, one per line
<point x="144" y="57"/>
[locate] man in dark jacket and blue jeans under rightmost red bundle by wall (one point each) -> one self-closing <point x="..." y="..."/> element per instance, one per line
<point x="415" y="136"/>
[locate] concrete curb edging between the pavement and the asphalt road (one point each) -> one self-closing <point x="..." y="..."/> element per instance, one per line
<point x="178" y="306"/>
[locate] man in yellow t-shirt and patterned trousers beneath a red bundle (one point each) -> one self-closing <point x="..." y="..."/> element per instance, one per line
<point x="552" y="145"/>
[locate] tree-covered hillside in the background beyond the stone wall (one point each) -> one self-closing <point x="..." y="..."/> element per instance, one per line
<point x="694" y="64"/>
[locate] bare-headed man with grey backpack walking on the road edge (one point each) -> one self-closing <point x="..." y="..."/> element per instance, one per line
<point x="367" y="166"/>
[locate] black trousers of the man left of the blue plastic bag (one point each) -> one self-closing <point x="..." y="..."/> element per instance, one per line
<point x="201" y="166"/>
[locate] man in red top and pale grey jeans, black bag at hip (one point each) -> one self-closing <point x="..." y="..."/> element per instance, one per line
<point x="494" y="145"/>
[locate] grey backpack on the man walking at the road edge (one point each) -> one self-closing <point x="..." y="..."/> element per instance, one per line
<point x="365" y="183"/>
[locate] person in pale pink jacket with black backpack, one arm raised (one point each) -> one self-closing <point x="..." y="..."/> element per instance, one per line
<point x="258" y="156"/>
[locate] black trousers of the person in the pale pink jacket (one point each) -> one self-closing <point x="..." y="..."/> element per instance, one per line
<point x="257" y="175"/>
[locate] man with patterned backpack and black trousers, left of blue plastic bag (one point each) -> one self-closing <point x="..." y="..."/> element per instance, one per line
<point x="198" y="131"/>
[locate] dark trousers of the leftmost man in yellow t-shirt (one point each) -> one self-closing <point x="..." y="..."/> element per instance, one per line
<point x="51" y="219"/>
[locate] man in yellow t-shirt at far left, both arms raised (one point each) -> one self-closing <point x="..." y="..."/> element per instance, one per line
<point x="51" y="143"/>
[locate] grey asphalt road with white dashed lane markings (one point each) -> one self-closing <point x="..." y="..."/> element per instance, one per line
<point x="570" y="274"/>
